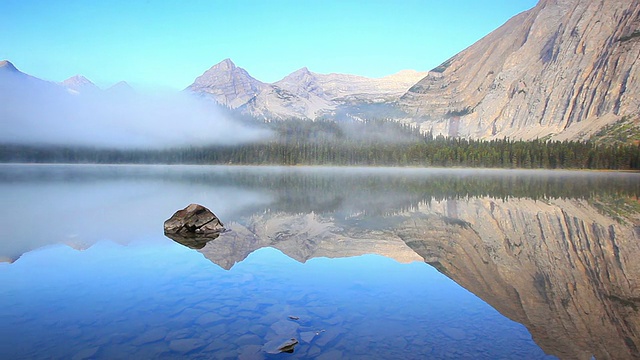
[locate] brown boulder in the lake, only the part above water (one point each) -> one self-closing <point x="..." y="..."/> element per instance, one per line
<point x="193" y="220"/>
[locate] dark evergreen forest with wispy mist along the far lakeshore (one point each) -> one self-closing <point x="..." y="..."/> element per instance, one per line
<point x="354" y="143"/>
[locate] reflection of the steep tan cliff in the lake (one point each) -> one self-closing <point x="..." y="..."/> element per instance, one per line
<point x="566" y="271"/>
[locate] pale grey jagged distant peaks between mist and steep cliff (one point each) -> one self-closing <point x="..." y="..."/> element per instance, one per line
<point x="302" y="94"/>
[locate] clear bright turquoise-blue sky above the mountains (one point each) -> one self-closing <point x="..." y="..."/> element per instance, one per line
<point x="168" y="43"/>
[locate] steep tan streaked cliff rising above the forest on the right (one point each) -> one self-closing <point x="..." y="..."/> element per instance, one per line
<point x="564" y="68"/>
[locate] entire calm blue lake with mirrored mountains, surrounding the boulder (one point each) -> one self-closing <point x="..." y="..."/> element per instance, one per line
<point x="353" y="263"/>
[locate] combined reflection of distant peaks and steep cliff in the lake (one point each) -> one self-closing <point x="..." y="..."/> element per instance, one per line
<point x="561" y="267"/>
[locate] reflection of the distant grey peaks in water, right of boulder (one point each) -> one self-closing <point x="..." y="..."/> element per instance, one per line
<point x="302" y="237"/>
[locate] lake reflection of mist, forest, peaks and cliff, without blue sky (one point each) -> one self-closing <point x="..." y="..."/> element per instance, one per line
<point x="554" y="251"/>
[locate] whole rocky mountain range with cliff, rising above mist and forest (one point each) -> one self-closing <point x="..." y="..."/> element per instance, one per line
<point x="565" y="69"/>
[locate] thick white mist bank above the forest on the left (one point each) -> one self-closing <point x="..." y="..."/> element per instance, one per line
<point x="36" y="112"/>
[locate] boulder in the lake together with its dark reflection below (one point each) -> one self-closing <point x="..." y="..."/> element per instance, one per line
<point x="193" y="225"/>
